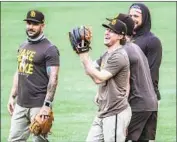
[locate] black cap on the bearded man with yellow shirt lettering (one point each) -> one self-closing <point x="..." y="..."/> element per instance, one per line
<point x="35" y="16"/>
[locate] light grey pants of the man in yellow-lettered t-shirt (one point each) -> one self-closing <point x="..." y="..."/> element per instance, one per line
<point x="20" y="121"/>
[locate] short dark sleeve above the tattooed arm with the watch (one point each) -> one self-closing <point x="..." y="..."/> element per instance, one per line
<point x="52" y="56"/>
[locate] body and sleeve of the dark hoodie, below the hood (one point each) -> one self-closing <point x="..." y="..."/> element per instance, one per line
<point x="152" y="48"/>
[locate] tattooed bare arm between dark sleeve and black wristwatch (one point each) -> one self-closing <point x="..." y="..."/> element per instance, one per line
<point x="52" y="72"/>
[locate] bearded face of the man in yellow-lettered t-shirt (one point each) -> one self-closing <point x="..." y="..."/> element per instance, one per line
<point x="34" y="29"/>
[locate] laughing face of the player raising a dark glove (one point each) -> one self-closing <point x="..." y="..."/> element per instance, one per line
<point x="110" y="37"/>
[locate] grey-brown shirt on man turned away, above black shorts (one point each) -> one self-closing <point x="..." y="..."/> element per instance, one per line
<point x="142" y="96"/>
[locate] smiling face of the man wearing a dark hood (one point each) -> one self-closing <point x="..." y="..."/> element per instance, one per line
<point x="136" y="15"/>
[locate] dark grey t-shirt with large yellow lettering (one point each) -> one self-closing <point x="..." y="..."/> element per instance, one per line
<point x="33" y="60"/>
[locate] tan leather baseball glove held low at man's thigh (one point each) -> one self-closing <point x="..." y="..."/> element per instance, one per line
<point x="42" y="126"/>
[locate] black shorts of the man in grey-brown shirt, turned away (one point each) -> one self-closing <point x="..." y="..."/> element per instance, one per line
<point x="142" y="126"/>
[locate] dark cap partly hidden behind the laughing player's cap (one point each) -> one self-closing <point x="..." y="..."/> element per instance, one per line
<point x="127" y="20"/>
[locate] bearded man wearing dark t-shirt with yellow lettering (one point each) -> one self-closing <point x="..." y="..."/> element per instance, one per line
<point x="35" y="81"/>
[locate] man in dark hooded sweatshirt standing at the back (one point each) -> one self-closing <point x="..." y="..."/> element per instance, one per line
<point x="147" y="41"/>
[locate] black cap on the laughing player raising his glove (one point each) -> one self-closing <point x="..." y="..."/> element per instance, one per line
<point x="117" y="26"/>
